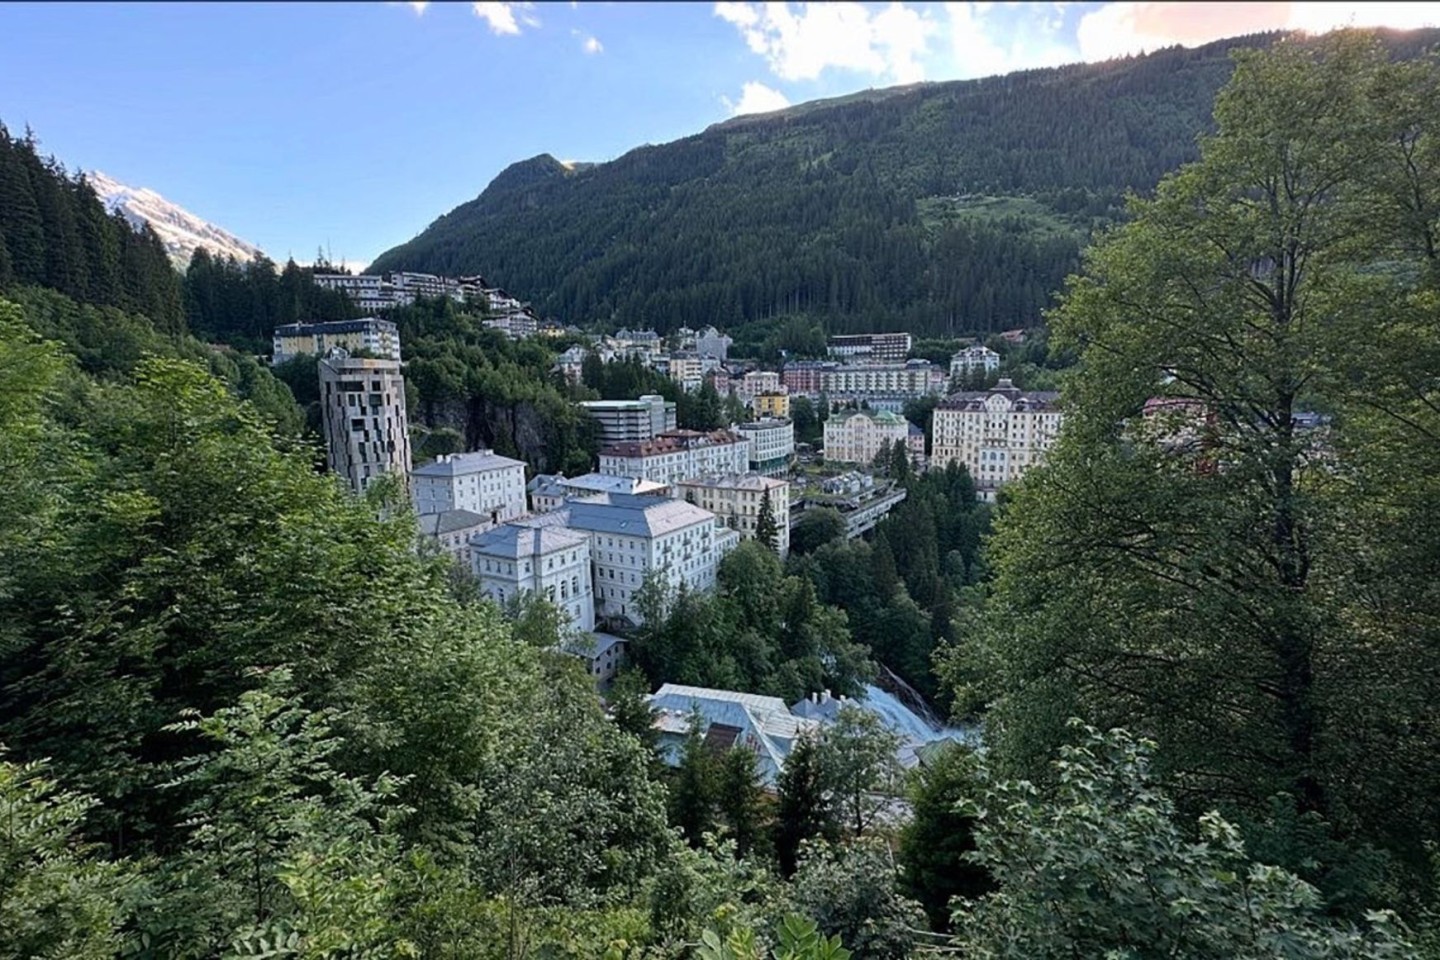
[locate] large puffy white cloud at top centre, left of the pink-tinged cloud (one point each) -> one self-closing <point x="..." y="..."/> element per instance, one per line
<point x="803" y="41"/>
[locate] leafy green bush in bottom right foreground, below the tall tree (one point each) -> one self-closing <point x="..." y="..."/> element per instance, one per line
<point x="1101" y="869"/>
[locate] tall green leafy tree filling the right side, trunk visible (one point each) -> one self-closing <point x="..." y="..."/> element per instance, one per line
<point x="1254" y="595"/>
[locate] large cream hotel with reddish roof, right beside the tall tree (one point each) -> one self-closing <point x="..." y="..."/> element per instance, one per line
<point x="996" y="434"/>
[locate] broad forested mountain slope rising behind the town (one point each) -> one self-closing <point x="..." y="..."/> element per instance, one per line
<point x="937" y="208"/>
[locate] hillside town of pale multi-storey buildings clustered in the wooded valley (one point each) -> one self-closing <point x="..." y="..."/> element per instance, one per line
<point x="662" y="502"/>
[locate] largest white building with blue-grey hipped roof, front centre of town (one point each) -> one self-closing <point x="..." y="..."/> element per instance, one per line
<point x="631" y="536"/>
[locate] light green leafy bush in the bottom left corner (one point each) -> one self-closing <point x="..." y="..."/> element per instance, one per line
<point x="58" y="897"/>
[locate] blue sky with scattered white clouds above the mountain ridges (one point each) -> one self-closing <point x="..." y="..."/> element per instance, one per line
<point x="354" y="126"/>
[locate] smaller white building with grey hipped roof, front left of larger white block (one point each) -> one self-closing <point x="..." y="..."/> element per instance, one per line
<point x="554" y="562"/>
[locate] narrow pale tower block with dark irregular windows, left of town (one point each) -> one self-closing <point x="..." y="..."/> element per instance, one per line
<point x="362" y="404"/>
